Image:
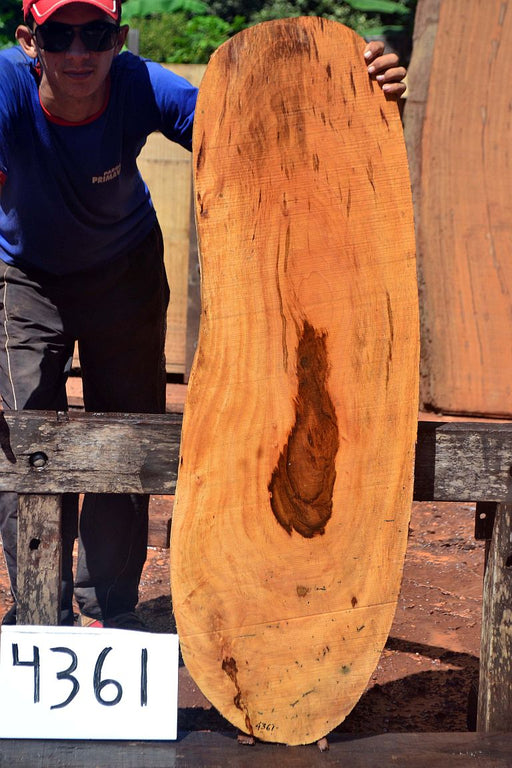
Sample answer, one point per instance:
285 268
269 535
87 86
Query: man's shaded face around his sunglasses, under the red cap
77 74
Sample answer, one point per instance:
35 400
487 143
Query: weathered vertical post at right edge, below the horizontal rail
495 685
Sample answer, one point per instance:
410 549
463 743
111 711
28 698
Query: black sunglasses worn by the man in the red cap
55 37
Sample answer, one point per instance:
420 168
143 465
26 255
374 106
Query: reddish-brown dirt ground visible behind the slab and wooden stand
423 679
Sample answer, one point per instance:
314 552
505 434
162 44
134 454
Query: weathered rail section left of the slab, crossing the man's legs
97 453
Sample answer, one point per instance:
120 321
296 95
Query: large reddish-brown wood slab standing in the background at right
463 207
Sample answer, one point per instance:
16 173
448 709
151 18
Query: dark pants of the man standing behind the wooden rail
117 314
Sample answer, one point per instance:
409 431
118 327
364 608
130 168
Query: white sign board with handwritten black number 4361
87 683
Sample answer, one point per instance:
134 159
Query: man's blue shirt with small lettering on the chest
72 196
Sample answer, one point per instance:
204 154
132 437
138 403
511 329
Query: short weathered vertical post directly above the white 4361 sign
39 559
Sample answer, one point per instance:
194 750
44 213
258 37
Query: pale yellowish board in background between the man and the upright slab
166 169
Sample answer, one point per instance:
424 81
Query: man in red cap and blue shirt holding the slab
81 259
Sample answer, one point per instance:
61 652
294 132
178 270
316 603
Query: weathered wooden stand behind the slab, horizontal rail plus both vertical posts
44 455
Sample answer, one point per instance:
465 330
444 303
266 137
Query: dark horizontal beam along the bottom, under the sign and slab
205 749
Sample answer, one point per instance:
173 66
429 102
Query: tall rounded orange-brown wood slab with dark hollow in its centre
295 482
